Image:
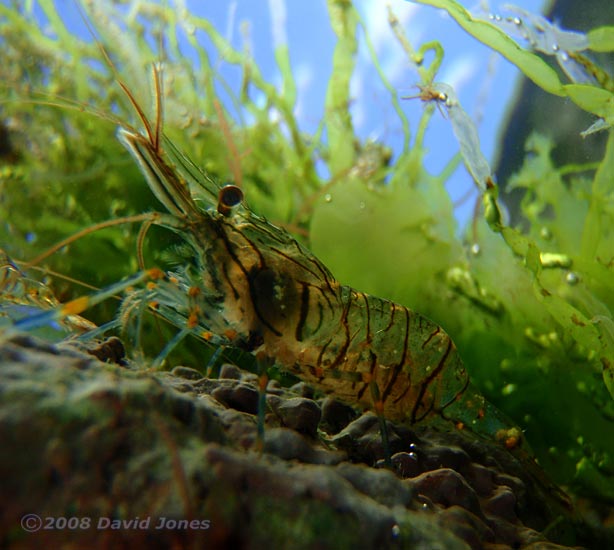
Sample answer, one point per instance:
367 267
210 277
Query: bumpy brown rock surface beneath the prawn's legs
171 458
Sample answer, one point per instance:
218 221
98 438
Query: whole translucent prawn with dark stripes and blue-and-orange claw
249 284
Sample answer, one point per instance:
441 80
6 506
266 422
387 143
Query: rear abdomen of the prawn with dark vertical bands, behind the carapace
412 361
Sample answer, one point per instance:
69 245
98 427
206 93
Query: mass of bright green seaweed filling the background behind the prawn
530 310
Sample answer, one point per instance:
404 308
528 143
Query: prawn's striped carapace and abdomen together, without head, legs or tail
287 308
